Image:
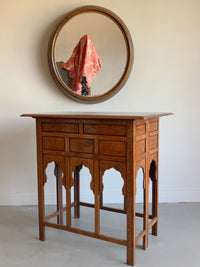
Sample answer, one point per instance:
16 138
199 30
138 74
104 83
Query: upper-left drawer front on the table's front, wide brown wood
60 127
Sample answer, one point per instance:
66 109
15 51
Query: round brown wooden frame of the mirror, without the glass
129 48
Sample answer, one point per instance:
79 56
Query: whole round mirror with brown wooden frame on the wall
91 54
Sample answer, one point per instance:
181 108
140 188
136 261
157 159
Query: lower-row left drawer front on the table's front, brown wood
53 143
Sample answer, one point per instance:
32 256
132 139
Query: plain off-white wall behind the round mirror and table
165 77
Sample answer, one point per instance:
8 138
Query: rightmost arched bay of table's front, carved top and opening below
112 196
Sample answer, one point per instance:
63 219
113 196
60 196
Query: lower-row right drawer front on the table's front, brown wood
112 148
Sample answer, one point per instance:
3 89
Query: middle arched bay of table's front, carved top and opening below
82 191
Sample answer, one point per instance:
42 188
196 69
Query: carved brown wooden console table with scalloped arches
99 141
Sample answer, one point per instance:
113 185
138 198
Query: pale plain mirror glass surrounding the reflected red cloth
109 44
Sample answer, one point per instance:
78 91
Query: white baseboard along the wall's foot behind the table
31 199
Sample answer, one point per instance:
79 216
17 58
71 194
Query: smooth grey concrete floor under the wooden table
178 243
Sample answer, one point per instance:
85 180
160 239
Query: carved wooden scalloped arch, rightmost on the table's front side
119 166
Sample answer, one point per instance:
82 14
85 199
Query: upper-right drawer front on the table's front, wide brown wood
117 130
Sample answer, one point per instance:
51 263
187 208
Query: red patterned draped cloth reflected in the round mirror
84 61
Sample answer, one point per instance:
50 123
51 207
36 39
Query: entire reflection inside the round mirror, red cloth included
107 46
